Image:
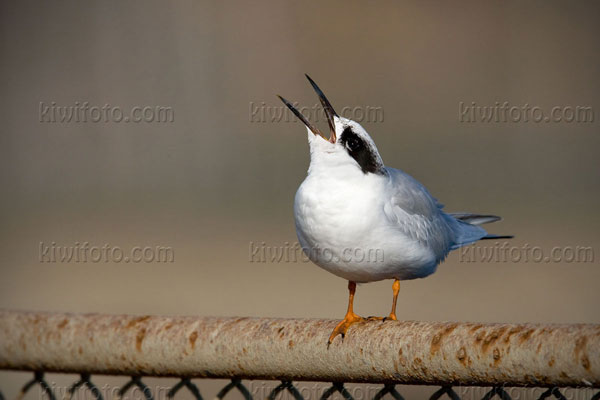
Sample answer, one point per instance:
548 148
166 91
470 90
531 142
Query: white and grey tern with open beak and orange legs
351 205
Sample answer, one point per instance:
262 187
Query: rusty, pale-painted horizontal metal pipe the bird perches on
439 353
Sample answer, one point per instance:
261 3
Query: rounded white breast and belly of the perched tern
342 225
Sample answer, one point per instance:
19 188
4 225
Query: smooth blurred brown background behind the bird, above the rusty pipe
219 177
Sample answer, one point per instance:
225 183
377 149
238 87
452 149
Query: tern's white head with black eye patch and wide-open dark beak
349 146
